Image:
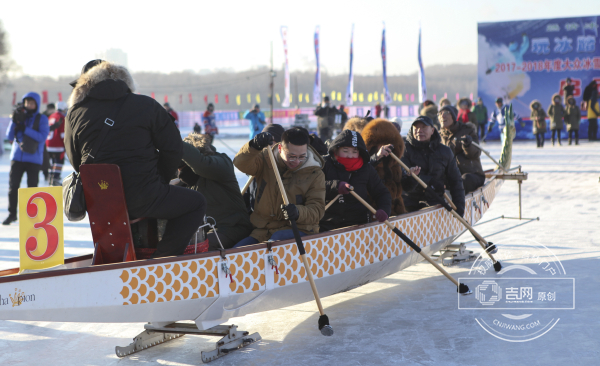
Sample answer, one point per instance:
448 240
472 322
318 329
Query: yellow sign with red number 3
41 241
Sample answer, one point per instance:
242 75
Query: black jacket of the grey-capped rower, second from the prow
437 162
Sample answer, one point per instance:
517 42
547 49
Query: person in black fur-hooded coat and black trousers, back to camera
143 141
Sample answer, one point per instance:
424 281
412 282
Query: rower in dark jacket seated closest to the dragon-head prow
459 137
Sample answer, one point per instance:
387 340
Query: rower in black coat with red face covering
347 165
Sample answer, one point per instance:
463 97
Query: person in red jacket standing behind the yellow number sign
55 143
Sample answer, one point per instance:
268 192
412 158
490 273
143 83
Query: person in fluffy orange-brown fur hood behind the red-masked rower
381 137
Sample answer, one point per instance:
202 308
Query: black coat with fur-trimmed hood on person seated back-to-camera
144 141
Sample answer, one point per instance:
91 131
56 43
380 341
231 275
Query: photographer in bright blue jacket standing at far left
28 131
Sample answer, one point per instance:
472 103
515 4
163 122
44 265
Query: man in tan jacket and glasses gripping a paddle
300 167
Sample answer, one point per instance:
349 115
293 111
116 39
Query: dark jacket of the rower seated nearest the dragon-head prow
468 158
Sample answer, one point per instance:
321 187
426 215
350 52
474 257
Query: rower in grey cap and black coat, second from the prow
424 149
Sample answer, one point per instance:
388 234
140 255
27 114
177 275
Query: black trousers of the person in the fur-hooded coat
184 209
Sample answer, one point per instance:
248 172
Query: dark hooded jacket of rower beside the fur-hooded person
212 174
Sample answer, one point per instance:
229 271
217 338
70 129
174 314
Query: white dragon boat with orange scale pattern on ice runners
210 288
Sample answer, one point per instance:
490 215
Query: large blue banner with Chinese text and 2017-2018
522 61
